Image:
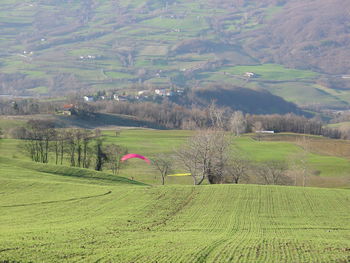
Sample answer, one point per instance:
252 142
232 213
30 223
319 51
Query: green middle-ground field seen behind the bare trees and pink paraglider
328 166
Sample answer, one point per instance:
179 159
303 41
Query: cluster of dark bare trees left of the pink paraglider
77 147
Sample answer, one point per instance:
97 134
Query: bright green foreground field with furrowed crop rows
56 216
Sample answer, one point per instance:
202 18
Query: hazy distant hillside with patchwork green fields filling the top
55 47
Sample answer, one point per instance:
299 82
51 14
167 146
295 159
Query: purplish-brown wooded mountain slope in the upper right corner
308 34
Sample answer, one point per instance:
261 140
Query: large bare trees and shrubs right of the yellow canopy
211 154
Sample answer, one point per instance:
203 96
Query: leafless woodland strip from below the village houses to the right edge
171 115
